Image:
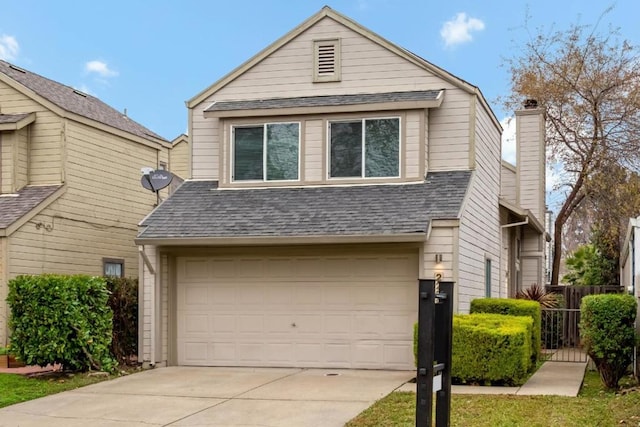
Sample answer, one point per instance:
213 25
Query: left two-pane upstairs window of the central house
268 152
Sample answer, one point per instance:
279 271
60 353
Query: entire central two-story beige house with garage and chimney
327 175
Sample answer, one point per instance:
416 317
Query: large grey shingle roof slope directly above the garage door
198 209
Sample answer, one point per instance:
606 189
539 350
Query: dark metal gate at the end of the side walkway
561 335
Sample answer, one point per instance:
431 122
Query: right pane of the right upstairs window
382 147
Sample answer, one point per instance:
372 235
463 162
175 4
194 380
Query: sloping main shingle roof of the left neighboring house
74 101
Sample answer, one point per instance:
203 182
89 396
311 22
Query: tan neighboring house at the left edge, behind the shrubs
70 193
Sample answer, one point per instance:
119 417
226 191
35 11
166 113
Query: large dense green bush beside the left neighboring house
61 319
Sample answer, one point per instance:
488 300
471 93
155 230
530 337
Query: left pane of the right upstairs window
346 149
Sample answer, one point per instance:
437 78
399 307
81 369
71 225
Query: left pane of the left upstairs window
247 160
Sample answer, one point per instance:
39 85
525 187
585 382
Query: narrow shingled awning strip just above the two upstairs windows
325 101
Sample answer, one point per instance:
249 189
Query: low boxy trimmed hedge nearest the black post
491 348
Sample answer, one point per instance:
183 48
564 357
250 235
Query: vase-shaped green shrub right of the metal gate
608 335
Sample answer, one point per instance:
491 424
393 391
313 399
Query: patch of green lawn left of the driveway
18 388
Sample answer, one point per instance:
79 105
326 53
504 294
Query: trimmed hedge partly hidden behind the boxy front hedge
515 307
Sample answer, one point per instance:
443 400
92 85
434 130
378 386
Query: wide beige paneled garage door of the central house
354 310
